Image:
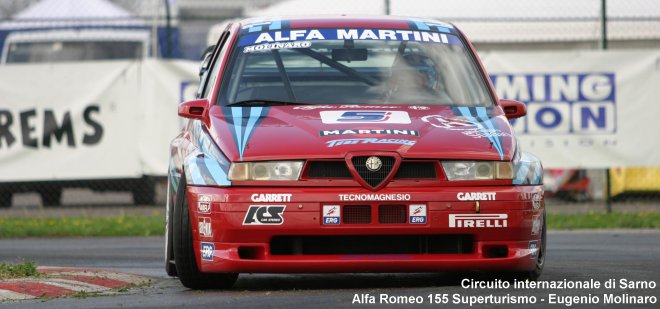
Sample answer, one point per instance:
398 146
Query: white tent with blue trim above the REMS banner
53 21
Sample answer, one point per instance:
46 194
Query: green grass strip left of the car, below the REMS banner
146 225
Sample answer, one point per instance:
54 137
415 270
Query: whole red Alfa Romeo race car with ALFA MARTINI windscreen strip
345 144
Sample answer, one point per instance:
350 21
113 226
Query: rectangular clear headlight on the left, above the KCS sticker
267 170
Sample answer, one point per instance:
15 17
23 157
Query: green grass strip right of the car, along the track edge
618 220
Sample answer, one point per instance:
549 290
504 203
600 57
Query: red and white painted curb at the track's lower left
60 281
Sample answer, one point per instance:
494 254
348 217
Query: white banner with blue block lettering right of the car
585 109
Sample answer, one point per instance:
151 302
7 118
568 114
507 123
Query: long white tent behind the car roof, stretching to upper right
489 21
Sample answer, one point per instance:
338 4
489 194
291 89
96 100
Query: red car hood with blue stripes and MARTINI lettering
333 131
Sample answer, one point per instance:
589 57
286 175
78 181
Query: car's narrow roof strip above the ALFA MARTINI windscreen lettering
351 21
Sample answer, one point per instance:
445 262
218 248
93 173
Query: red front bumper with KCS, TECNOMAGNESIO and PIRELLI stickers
278 230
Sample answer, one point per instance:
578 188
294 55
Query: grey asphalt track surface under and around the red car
633 255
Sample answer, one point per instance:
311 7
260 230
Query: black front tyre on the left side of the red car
184 256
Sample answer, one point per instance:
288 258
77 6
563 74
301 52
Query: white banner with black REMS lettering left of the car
90 120
